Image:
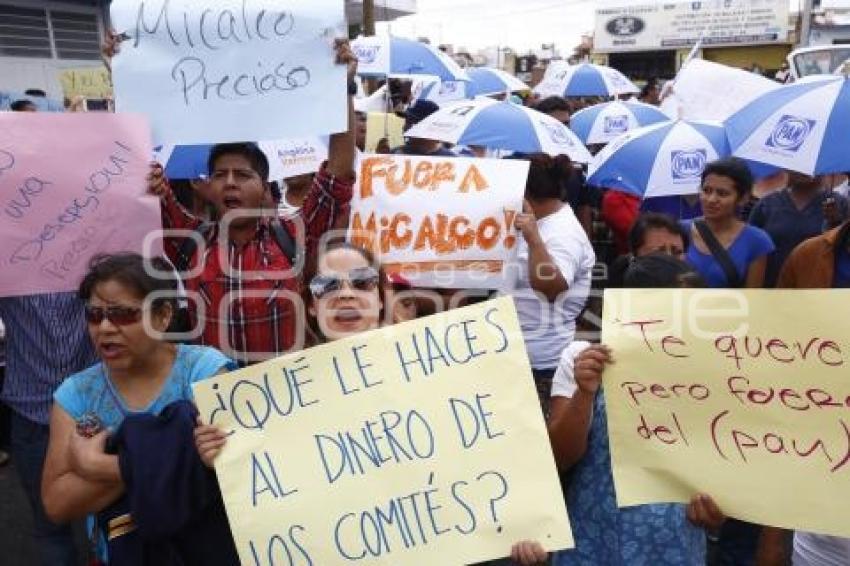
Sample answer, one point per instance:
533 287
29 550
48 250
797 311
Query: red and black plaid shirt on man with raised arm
249 309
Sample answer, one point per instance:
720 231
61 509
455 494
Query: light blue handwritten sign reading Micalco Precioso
233 70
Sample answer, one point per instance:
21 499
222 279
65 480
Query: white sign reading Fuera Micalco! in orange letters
441 221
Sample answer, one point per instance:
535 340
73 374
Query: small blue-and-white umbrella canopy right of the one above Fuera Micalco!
602 123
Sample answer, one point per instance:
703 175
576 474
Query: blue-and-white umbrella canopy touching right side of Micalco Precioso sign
387 55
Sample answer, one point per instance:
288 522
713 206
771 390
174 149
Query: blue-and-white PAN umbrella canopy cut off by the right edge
801 127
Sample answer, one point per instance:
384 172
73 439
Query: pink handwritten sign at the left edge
71 186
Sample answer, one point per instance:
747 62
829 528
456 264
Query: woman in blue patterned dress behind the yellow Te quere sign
665 534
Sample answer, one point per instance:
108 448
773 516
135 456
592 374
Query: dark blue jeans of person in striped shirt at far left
54 543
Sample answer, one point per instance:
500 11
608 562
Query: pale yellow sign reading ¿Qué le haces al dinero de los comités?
398 446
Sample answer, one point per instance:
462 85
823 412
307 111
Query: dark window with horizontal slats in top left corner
49 33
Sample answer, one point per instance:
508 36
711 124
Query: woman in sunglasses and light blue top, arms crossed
127 309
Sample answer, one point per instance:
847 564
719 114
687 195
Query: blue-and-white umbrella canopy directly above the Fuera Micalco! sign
500 125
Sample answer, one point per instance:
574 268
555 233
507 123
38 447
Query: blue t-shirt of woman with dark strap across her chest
751 244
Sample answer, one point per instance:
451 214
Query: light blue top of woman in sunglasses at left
91 390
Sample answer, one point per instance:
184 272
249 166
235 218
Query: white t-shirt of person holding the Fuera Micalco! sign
549 327
